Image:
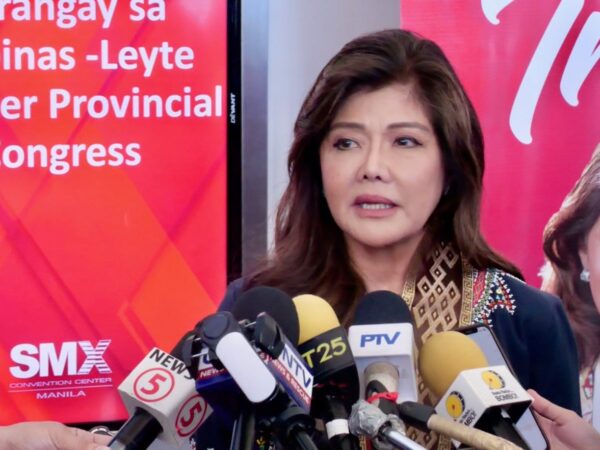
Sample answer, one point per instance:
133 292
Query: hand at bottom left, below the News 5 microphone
49 436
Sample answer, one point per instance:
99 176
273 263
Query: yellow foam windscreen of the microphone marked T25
315 316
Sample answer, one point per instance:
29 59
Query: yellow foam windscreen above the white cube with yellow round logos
444 355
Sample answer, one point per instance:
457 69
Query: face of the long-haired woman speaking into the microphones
382 167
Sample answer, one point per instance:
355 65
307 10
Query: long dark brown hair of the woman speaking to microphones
309 254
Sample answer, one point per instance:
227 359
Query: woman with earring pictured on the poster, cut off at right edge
572 246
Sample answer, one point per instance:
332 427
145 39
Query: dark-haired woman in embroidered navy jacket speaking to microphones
386 173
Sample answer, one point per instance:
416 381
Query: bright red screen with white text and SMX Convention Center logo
112 193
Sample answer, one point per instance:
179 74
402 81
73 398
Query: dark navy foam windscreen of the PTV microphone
381 307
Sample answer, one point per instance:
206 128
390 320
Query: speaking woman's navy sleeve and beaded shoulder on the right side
532 328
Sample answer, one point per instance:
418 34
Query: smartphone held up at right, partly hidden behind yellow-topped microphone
527 425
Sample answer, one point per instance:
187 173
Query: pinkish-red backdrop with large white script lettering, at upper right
533 163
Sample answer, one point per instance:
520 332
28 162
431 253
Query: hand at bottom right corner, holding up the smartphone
564 428
